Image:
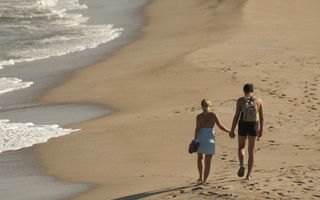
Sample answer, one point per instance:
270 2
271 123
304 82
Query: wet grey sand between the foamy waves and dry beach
22 106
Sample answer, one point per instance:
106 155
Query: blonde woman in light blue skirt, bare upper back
204 134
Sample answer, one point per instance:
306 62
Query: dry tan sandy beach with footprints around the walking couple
190 50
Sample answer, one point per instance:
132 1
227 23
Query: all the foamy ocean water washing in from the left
37 29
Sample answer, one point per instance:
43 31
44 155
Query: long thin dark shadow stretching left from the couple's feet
155 192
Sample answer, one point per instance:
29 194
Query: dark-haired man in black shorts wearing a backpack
250 110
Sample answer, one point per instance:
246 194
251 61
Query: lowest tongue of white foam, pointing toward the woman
20 135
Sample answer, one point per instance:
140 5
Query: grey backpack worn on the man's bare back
249 110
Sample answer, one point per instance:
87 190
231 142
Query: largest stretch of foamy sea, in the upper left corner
37 29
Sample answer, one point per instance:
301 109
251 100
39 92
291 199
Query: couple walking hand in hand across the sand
248 116
